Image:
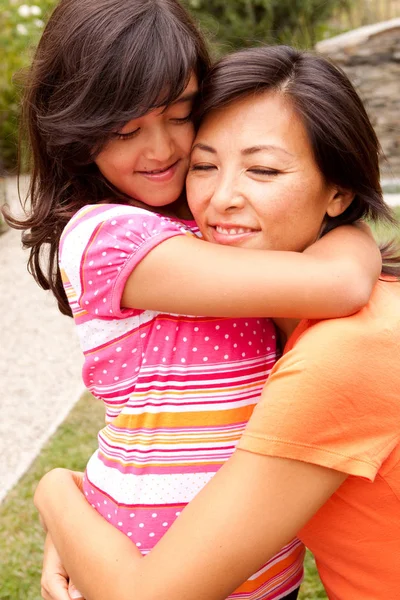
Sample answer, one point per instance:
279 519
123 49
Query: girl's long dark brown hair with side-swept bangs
99 64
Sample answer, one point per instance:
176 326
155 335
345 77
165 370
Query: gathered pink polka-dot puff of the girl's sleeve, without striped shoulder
119 240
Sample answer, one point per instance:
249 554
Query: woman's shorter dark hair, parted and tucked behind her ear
343 140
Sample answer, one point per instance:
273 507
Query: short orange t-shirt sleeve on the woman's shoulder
330 401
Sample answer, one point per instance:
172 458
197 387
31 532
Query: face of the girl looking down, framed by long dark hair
148 158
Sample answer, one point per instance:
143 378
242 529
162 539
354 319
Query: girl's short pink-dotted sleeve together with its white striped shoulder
103 245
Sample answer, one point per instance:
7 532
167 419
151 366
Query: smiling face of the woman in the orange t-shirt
253 181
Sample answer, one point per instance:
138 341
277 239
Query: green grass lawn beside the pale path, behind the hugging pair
21 538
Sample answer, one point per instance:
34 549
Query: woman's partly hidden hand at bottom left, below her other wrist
55 583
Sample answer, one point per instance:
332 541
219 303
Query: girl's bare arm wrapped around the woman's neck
334 277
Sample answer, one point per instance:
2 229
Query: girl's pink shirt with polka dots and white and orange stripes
178 389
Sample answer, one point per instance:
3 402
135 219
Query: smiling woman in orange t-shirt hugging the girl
284 153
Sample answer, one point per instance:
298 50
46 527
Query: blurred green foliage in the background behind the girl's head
230 23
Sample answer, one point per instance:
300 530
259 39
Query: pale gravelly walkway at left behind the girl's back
40 361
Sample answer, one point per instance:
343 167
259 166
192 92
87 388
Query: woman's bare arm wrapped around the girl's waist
250 509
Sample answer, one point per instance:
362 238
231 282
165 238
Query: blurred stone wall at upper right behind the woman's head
371 58
